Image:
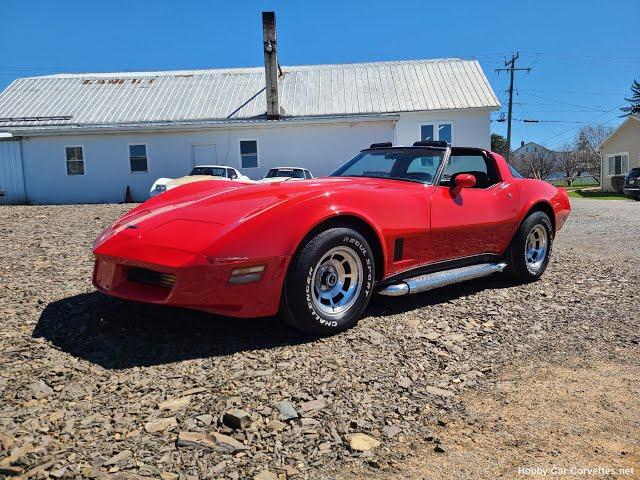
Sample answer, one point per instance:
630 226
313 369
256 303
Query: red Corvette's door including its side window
471 221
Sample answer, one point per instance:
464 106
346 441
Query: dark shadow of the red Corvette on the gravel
119 334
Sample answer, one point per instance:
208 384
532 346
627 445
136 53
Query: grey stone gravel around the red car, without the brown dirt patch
97 387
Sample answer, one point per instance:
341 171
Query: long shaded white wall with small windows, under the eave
320 148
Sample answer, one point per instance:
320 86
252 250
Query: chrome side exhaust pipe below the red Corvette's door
429 281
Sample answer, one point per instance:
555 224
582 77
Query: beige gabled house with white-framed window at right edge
620 152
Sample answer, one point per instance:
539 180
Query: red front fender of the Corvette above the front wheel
279 230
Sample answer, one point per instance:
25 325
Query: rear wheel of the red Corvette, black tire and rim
520 268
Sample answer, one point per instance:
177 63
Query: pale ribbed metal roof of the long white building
233 95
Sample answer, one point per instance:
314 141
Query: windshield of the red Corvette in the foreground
414 164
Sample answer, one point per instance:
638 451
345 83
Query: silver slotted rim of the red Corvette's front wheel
336 281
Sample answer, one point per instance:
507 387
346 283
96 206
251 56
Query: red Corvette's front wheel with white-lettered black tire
308 285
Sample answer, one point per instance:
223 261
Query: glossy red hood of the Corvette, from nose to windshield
194 215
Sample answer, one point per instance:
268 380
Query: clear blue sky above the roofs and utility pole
584 54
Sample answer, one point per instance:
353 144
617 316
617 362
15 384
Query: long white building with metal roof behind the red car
75 138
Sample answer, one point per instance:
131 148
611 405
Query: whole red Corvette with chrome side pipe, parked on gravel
393 220
